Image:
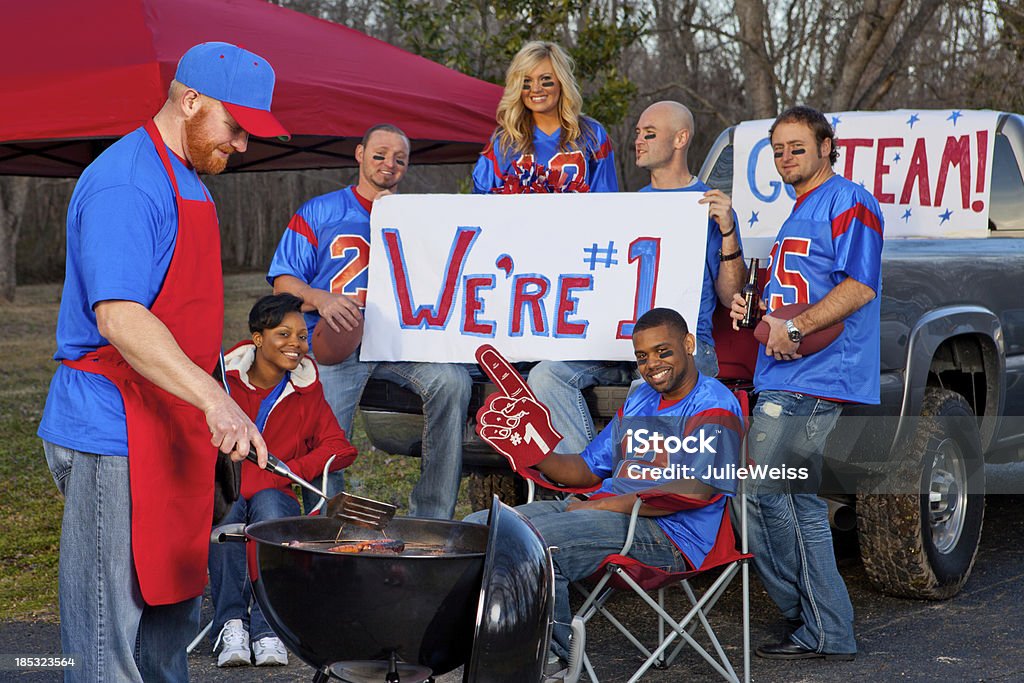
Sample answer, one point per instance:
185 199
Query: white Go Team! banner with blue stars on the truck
930 172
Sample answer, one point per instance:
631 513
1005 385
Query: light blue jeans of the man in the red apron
104 620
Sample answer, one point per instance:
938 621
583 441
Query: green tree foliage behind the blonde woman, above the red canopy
481 39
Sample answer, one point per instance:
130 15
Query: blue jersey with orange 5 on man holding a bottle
834 233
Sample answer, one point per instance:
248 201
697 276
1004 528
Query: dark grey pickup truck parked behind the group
952 349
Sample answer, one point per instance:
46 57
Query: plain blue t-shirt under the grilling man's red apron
122 227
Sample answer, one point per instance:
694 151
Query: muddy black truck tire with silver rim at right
921 546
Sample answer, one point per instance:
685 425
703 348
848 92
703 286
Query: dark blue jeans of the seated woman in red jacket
230 586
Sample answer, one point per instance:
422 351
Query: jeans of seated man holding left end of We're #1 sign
445 390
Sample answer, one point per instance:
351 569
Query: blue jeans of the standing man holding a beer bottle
789 533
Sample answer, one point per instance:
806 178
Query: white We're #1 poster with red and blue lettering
554 277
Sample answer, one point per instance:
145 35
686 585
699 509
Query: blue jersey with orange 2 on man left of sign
327 246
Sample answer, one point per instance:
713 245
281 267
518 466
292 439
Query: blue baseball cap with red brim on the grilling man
242 81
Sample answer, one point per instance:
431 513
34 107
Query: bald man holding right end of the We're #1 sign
664 135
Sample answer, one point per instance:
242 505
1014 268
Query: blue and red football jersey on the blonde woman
590 169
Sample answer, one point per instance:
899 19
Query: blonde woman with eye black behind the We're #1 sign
543 143
